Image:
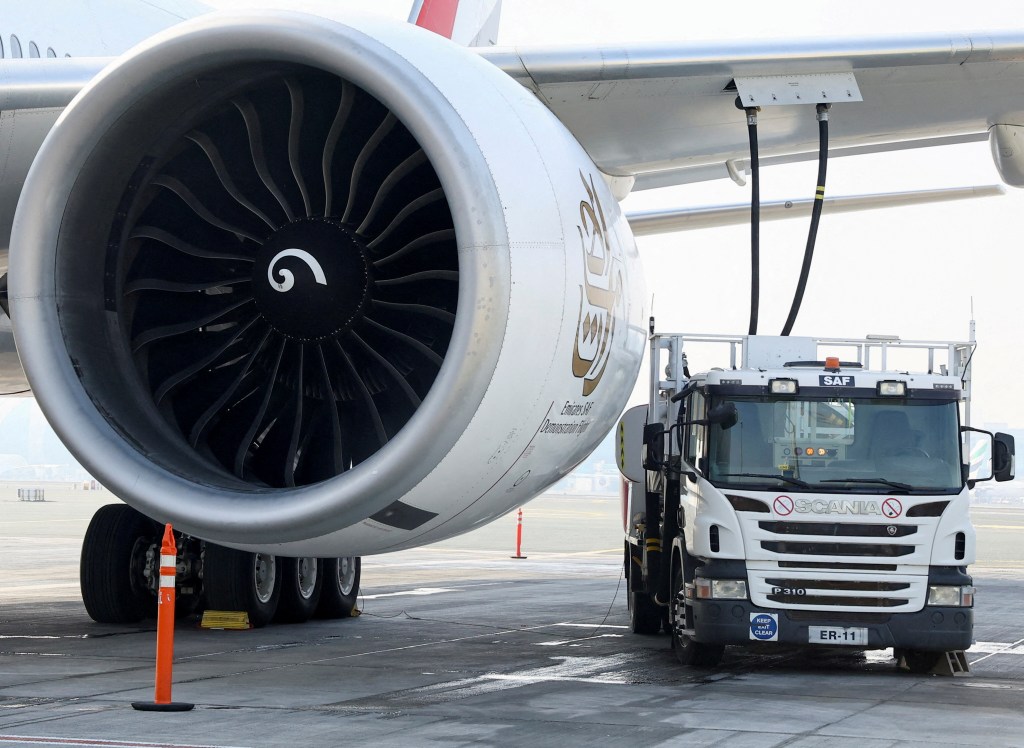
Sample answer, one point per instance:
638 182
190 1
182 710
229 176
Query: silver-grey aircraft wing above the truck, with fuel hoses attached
666 114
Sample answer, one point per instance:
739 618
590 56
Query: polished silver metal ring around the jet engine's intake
210 506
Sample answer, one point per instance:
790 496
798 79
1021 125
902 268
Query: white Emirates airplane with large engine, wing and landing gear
314 286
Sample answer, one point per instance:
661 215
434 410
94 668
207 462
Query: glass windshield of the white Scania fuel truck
839 445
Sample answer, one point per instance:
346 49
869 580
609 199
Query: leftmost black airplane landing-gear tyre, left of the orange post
112 570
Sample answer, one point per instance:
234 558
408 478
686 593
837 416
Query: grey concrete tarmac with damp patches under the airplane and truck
460 645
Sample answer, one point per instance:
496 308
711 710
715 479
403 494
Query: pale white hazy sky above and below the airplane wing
909 272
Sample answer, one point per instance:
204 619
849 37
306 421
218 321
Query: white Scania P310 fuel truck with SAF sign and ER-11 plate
800 497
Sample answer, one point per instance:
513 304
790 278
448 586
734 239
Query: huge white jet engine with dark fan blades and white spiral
323 288
